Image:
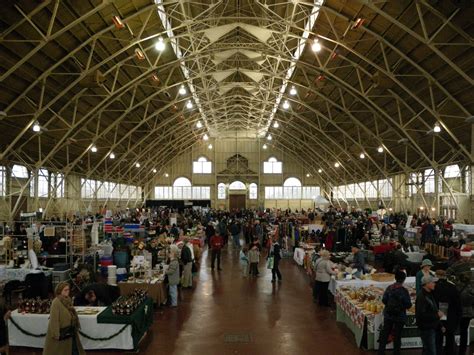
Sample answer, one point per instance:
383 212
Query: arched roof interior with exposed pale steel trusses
382 81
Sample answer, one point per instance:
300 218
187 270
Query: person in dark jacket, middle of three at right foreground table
428 315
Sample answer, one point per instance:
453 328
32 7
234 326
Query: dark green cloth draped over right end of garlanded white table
140 320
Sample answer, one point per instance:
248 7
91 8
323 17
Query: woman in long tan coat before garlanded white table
62 336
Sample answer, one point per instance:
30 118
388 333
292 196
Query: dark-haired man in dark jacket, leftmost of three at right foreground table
396 300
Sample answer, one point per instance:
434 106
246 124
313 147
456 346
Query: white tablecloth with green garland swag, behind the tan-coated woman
38 324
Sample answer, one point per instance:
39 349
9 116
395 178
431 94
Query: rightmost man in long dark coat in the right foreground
449 302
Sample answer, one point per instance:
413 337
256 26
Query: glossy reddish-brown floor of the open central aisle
229 314
